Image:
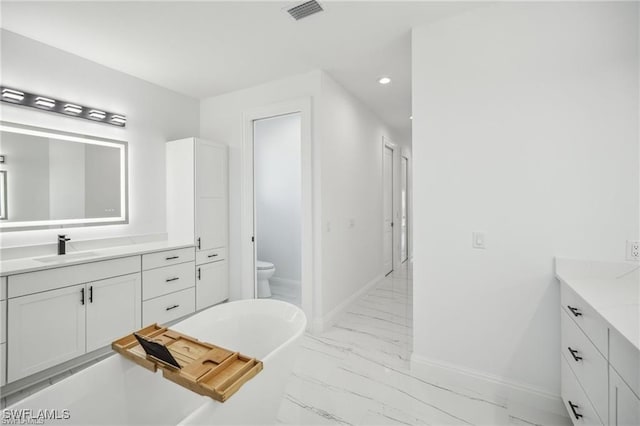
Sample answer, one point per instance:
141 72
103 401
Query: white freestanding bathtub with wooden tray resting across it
117 391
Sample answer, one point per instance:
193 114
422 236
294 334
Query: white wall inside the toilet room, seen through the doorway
278 185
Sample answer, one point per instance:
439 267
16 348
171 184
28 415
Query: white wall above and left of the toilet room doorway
221 119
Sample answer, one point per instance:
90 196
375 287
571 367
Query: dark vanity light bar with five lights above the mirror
18 97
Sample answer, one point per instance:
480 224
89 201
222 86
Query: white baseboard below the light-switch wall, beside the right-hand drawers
504 391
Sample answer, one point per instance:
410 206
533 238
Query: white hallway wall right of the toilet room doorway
352 213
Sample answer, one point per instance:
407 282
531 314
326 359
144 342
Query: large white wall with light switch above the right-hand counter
526 127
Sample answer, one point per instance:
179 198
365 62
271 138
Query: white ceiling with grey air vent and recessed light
203 49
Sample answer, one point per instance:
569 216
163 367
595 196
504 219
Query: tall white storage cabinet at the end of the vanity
198 210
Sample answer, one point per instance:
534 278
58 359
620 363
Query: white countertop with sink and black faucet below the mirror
30 264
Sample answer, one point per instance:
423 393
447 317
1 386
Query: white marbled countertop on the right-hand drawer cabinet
611 288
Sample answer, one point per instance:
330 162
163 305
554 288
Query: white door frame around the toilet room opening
247 225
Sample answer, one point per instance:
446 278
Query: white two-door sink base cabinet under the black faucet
58 314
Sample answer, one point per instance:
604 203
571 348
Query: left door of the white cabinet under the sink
45 329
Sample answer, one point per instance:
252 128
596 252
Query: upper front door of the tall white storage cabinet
211 195
